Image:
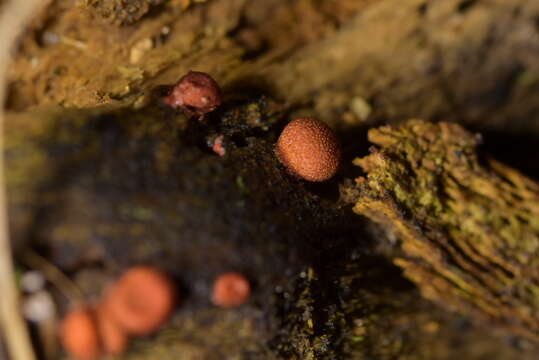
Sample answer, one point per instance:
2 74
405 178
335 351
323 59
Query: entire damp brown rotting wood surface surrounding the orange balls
103 176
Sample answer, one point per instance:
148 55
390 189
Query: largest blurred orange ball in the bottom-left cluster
141 301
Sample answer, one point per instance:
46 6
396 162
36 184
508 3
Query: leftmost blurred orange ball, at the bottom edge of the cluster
79 334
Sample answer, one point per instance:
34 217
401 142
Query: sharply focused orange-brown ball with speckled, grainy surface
309 149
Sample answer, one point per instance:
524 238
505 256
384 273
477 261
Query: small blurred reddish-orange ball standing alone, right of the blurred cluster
230 290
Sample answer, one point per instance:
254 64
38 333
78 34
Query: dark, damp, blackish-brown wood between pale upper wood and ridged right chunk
97 191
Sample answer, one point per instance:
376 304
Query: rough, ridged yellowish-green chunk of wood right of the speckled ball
469 228
